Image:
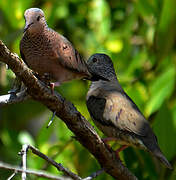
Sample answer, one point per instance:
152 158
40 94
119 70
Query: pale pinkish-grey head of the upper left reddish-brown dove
35 20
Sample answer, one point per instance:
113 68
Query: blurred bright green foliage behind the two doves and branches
140 38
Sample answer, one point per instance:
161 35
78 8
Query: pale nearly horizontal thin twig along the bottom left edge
30 171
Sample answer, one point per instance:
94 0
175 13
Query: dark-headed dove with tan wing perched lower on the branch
114 112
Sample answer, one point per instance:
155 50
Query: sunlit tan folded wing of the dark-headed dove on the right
121 111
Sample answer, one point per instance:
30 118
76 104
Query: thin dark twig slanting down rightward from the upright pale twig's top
54 163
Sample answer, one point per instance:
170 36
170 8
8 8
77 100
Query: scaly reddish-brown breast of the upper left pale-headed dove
39 54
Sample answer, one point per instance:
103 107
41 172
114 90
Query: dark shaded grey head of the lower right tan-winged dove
101 66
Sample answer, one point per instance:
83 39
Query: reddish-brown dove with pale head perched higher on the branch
48 53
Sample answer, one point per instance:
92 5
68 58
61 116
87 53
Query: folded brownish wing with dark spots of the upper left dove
69 57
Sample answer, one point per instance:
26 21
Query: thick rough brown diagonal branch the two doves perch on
65 110
